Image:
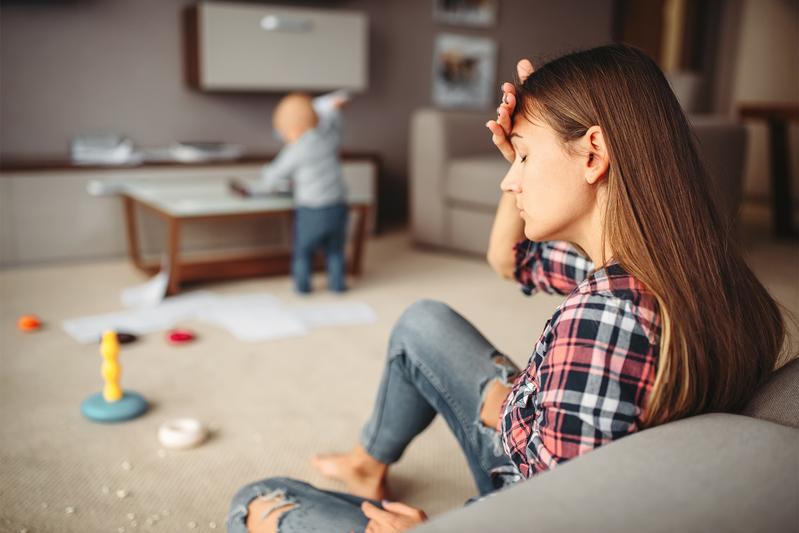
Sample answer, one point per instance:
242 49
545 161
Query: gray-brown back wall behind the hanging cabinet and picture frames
116 65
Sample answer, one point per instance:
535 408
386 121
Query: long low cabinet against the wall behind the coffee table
46 215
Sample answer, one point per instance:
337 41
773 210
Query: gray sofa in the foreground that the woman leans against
711 473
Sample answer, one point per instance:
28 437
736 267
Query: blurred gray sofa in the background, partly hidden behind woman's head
455 173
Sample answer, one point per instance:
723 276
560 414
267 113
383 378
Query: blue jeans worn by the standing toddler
320 228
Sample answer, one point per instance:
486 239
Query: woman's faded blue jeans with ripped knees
437 363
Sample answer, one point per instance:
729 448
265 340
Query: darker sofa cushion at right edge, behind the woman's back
778 399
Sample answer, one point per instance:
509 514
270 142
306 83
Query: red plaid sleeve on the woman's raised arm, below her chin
555 267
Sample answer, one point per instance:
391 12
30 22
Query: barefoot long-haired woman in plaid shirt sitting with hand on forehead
606 201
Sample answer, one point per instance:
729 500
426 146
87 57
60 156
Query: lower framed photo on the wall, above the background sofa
464 70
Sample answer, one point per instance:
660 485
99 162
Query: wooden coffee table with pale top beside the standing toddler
182 201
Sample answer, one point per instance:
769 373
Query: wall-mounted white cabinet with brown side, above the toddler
253 47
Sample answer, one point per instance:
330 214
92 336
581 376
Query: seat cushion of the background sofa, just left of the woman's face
475 180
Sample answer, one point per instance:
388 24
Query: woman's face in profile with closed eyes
548 183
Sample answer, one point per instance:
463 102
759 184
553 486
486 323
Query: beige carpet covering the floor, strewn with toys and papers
273 404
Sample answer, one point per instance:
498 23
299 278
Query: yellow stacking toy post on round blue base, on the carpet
113 404
